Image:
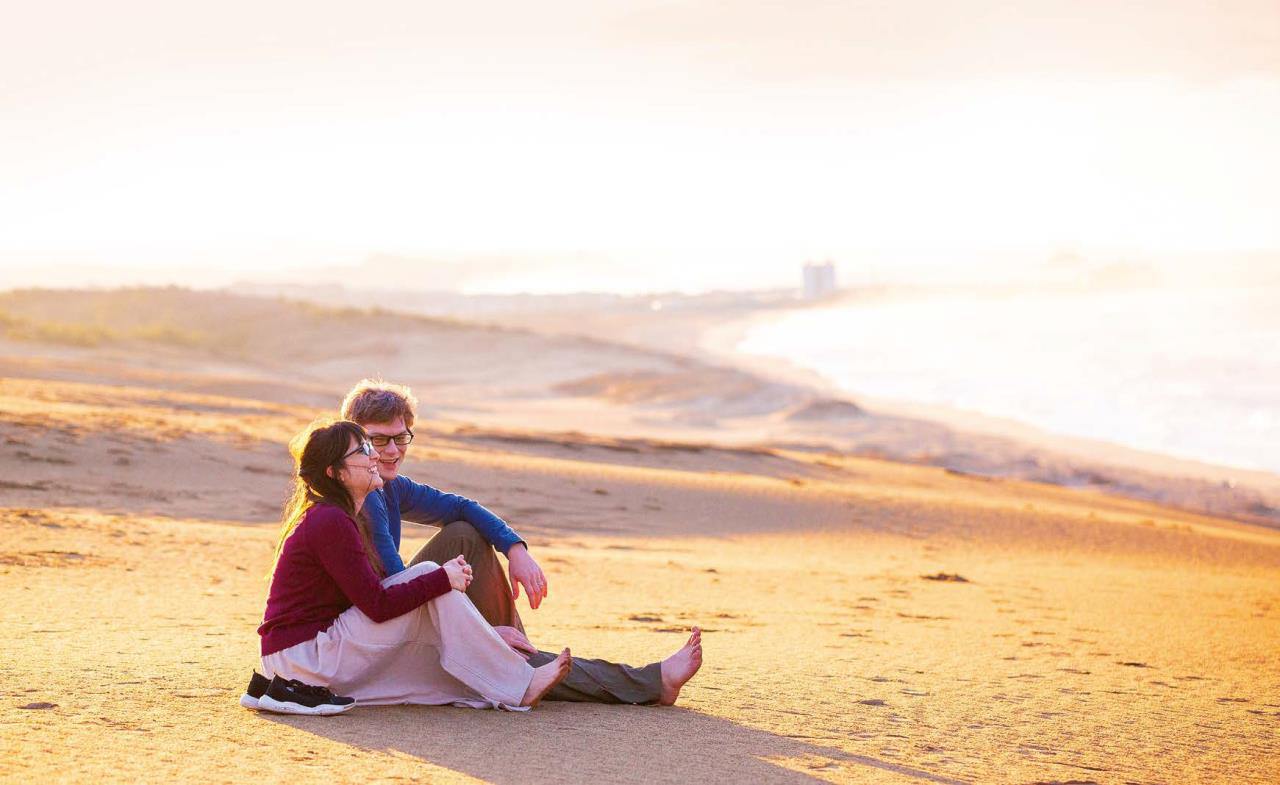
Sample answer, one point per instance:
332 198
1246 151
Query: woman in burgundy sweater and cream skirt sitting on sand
331 620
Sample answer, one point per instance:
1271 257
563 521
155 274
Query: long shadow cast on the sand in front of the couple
561 742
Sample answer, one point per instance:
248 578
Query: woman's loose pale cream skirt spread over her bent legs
438 654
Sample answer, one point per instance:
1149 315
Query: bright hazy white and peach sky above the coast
666 144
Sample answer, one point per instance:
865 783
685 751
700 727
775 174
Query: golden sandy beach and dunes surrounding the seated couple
867 620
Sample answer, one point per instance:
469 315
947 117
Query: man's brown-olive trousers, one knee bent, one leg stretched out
589 681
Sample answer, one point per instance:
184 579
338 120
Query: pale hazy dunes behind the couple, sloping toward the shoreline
292 353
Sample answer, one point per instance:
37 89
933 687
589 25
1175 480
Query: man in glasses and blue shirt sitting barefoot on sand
387 412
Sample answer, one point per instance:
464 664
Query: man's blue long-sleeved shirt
404 499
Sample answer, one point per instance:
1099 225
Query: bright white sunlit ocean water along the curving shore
1188 373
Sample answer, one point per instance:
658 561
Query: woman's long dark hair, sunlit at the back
316 451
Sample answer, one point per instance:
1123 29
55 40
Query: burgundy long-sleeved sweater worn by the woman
323 572
